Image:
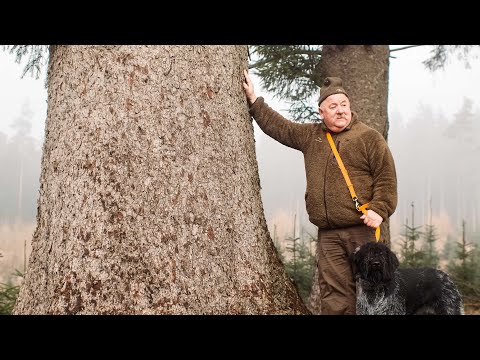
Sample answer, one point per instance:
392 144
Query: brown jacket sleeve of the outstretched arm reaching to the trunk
272 123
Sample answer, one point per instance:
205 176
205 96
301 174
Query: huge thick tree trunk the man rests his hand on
150 198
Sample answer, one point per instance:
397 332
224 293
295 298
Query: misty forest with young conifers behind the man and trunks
436 221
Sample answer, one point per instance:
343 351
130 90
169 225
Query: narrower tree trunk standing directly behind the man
364 71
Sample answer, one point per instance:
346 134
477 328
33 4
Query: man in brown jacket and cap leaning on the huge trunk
371 169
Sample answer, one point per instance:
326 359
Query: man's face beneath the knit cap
335 112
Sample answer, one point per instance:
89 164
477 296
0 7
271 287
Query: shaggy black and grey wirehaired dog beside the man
385 289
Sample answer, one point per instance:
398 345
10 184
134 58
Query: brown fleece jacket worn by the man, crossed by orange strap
364 153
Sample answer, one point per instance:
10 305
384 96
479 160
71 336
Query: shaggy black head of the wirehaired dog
374 262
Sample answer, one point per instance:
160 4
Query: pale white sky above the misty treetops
410 85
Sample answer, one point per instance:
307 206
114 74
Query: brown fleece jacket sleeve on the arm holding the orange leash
384 201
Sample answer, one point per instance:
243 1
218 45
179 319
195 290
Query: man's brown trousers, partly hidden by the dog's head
337 286
